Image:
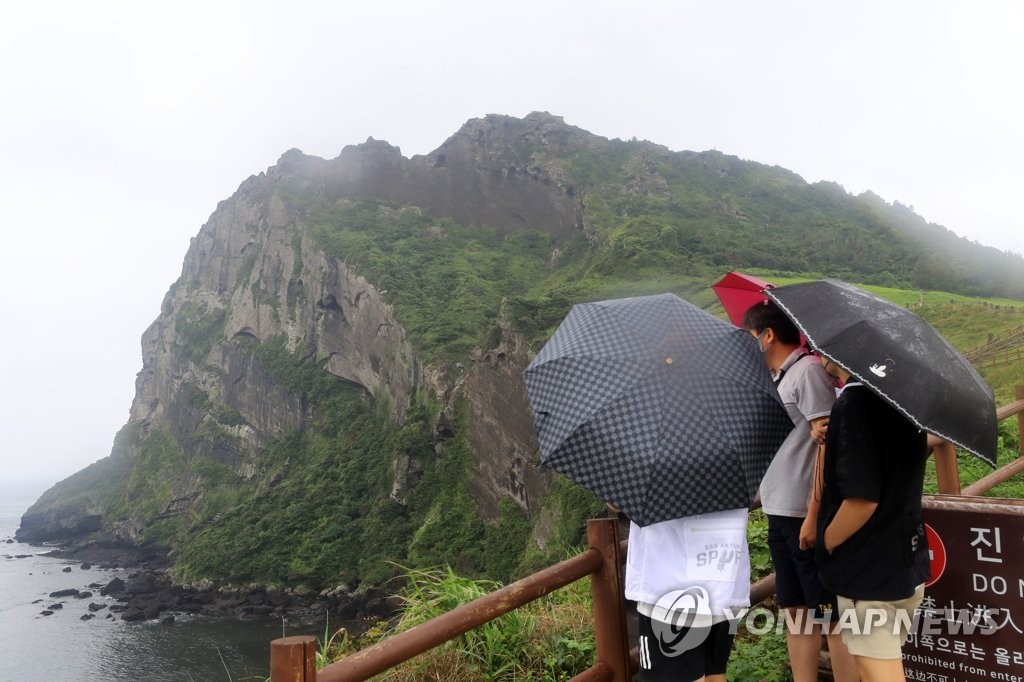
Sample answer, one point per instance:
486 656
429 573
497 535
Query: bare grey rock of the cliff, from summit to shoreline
255 276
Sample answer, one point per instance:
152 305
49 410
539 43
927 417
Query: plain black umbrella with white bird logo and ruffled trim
901 357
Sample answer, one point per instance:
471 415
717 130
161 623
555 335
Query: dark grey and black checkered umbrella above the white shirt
657 407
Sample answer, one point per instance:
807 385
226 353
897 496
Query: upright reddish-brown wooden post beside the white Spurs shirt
610 607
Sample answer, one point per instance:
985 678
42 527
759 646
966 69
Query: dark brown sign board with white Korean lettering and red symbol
970 626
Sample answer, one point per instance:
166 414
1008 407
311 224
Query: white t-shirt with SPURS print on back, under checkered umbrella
667 562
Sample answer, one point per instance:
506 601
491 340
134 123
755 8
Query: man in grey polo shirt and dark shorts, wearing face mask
790 496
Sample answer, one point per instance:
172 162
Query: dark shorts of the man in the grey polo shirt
797 582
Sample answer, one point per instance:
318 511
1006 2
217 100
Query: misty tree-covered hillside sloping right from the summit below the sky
649 205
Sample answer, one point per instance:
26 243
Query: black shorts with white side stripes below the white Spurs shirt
660 662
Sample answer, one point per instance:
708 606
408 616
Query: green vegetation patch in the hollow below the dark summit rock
447 281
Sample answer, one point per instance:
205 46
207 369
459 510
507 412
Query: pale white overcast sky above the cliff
122 125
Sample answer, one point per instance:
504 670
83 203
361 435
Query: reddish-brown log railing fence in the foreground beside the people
294 659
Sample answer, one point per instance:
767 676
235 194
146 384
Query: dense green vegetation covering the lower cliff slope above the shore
322 510
